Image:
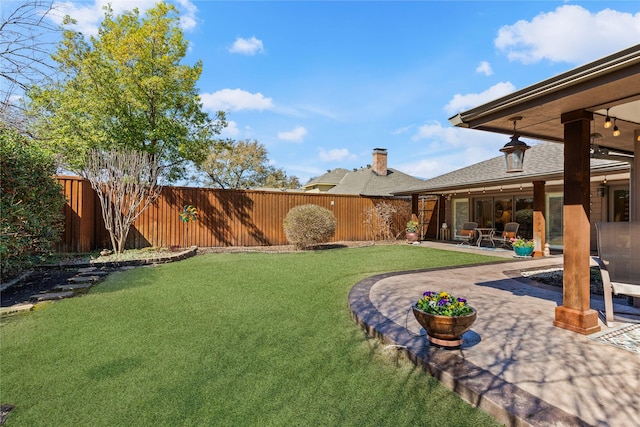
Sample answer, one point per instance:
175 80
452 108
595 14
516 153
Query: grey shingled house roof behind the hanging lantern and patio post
542 161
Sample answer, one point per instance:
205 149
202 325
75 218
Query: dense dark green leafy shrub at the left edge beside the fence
31 203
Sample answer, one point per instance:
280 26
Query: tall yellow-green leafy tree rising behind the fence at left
127 89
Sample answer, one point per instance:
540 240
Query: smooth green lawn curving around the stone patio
224 339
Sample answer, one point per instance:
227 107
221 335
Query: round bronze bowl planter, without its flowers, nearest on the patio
444 331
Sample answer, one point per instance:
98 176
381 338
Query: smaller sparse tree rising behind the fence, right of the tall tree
244 165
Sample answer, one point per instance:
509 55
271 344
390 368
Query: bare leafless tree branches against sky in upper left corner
27 39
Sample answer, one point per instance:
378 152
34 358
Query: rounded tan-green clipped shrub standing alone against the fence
308 225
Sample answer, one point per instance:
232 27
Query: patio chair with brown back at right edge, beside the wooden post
619 261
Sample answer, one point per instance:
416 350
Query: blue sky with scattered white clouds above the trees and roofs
321 84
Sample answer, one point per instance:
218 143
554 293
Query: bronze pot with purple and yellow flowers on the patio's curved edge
444 317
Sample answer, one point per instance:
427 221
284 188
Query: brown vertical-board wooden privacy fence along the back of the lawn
225 217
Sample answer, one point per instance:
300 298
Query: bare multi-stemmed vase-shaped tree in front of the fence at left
126 183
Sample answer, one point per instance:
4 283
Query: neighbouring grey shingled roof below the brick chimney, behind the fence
366 182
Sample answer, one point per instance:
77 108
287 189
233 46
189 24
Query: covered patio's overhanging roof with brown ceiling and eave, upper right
612 82
